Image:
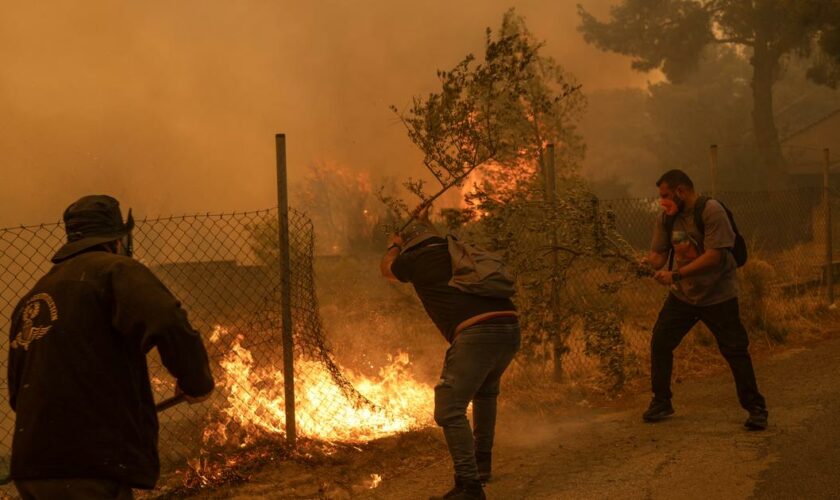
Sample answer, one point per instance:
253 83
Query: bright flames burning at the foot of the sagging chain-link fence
255 400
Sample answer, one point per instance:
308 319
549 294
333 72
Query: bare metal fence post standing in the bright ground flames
286 289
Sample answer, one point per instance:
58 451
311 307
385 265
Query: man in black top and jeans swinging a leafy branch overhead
483 333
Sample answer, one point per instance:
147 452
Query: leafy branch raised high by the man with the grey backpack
499 111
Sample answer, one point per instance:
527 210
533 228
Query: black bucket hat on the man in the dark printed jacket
91 221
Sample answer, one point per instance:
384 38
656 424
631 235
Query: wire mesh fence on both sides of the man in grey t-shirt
608 313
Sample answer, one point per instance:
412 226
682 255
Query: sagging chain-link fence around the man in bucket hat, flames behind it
225 270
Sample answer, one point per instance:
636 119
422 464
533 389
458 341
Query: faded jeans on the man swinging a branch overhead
472 372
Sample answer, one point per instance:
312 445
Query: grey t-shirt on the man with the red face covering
715 285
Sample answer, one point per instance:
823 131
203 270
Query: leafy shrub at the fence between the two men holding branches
555 247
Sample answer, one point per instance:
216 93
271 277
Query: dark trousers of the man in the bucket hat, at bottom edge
73 489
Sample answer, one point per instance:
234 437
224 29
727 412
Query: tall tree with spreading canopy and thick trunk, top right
671 35
